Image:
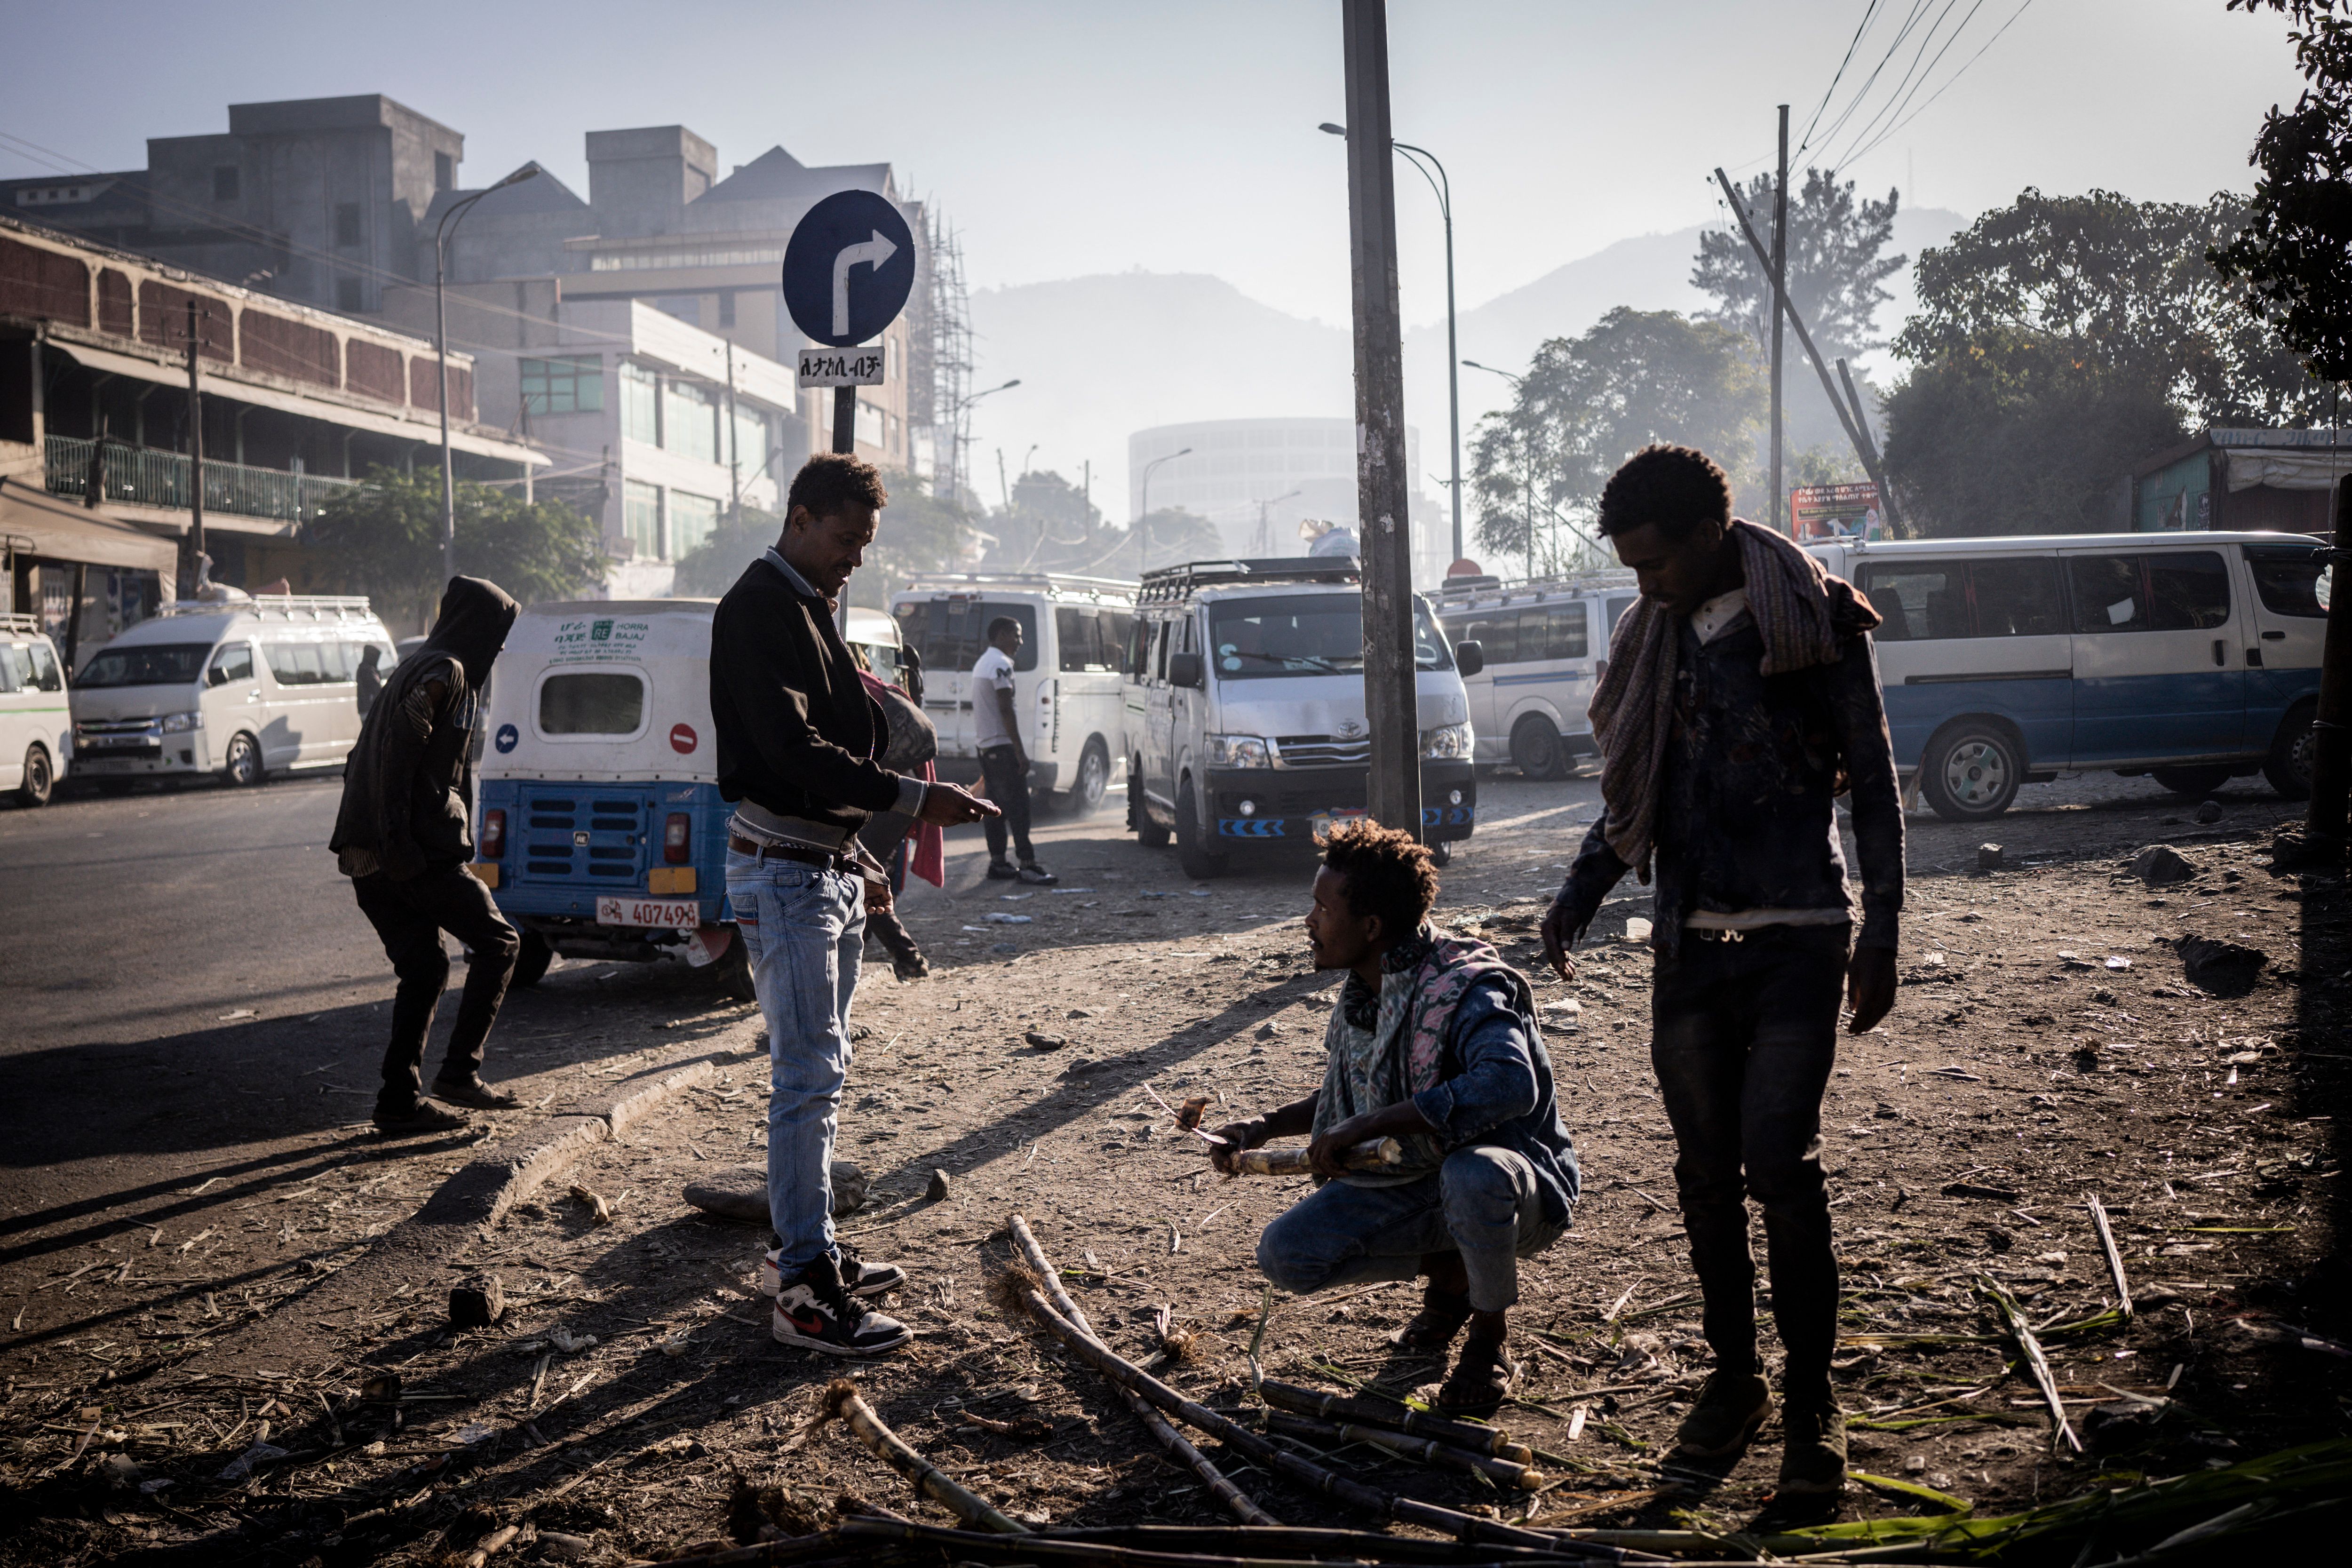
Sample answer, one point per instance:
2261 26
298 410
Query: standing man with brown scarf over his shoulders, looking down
1742 702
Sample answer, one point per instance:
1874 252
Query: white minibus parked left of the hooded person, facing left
236 688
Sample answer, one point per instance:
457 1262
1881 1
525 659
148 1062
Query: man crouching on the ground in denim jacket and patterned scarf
1434 1043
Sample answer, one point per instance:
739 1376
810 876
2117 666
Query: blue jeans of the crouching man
1483 1205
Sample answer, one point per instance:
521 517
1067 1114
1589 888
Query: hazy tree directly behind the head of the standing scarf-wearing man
1586 406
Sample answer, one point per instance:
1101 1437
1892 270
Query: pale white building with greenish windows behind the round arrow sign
653 427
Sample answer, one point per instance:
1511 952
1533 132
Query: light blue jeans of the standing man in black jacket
803 932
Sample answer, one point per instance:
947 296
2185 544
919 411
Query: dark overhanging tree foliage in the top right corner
2294 250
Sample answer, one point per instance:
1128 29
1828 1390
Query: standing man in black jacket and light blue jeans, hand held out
799 753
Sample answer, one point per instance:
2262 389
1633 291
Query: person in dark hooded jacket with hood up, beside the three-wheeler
406 838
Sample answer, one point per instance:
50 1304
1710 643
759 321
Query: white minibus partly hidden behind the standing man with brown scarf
1544 643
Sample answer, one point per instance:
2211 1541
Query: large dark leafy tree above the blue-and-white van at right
2064 340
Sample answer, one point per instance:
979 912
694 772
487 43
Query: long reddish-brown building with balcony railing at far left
298 406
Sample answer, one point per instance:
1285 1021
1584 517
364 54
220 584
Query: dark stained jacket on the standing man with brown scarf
1746 817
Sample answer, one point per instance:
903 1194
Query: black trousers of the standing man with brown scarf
1744 1040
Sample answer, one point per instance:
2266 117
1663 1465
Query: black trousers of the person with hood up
410 918
